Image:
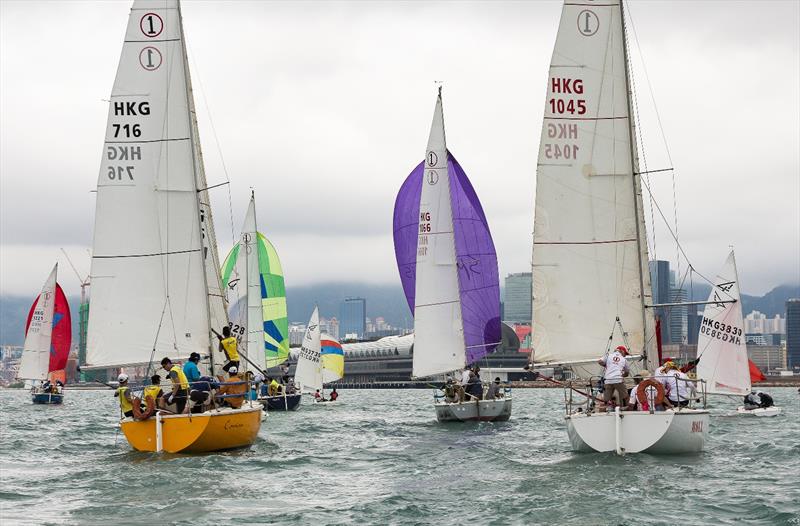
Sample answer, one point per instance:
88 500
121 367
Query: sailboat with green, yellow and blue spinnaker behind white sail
252 277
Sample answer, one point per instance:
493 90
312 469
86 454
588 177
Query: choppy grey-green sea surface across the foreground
380 457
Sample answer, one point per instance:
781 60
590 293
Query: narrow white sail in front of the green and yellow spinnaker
256 351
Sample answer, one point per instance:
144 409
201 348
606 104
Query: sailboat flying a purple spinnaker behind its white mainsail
448 267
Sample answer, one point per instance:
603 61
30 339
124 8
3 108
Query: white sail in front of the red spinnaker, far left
35 361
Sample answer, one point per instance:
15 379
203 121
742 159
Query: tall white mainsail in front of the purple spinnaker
438 328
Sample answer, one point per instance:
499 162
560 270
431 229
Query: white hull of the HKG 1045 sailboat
683 431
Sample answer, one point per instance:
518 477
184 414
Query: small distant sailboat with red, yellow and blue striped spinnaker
320 361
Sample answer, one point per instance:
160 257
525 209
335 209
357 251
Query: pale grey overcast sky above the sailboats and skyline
324 108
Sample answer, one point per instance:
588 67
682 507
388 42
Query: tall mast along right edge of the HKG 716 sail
205 223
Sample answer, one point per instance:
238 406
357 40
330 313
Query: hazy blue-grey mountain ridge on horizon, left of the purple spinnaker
382 300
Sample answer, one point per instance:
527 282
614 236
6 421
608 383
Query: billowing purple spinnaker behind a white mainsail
478 278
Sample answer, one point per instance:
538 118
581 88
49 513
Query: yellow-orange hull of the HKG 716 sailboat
214 430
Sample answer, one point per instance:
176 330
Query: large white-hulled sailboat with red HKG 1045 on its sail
590 260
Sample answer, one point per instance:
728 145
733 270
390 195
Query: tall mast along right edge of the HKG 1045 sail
637 195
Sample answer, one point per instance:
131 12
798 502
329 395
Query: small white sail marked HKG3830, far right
721 343
